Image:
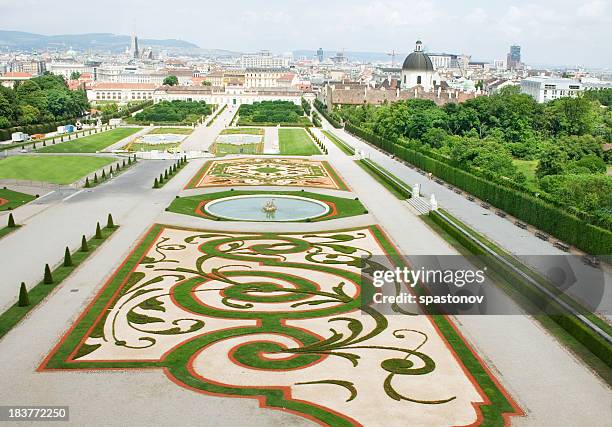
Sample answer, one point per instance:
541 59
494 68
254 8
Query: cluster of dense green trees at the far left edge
39 100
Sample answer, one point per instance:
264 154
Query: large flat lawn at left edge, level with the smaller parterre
53 169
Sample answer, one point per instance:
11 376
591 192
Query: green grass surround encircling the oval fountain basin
344 207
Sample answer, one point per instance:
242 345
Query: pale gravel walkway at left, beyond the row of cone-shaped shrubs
46 232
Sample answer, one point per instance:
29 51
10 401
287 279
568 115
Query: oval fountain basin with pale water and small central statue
250 208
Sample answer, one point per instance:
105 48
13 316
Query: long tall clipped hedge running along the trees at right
545 216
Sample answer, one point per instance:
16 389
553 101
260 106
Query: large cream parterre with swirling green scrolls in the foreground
277 317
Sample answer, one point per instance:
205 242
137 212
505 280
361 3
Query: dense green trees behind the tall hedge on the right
488 133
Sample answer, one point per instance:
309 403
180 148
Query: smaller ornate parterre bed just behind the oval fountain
268 171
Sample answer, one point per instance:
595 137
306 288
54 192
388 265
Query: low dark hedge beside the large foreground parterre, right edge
570 323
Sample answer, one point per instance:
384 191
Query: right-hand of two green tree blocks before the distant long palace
272 113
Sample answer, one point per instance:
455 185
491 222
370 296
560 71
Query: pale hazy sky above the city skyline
564 32
